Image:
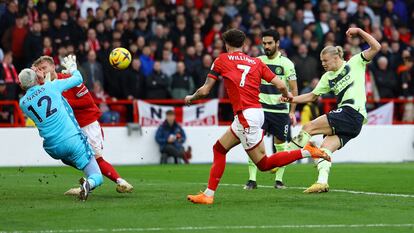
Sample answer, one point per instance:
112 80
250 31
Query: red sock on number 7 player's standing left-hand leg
219 164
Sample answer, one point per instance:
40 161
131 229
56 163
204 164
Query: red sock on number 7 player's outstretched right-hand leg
279 159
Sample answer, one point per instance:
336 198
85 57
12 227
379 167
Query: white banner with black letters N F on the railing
204 114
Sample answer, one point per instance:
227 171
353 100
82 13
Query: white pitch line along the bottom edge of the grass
190 228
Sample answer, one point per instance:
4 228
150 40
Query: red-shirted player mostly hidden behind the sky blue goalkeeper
87 114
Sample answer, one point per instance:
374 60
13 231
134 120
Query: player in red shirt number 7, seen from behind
242 75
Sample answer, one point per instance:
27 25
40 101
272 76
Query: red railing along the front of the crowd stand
18 119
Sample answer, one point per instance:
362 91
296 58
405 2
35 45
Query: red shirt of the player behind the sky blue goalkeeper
82 103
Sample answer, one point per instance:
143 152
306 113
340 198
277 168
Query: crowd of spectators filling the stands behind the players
173 43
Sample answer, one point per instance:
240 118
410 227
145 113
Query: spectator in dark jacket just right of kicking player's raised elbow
385 79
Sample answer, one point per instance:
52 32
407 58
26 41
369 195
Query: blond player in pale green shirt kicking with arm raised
346 79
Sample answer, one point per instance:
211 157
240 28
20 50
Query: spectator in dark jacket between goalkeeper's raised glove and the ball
92 70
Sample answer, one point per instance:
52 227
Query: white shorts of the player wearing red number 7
247 127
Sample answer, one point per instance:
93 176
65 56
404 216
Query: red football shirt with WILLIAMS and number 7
242 76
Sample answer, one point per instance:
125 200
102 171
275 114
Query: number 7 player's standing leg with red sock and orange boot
227 141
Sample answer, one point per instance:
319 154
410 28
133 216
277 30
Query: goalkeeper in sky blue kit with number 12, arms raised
54 118
